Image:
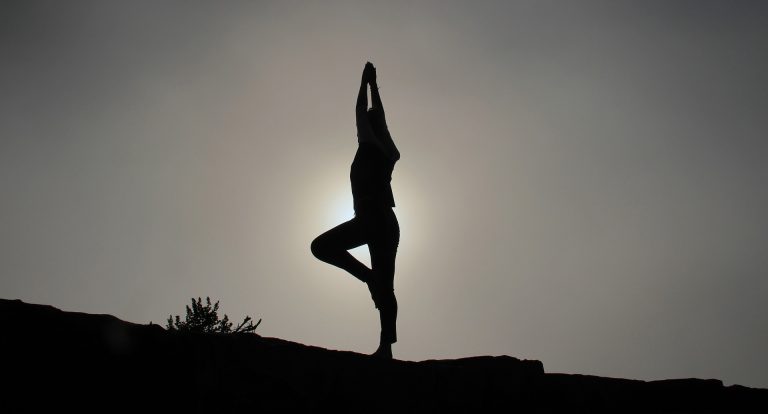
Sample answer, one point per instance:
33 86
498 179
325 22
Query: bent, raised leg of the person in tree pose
333 245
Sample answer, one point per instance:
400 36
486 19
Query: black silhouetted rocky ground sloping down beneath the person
55 360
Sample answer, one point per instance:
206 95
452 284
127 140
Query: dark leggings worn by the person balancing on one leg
378 228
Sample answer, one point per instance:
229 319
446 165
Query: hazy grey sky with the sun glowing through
582 183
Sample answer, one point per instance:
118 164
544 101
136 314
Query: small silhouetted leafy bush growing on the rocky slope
205 319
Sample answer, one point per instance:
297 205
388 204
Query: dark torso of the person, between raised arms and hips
370 175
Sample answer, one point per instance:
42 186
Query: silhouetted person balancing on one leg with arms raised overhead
374 223
